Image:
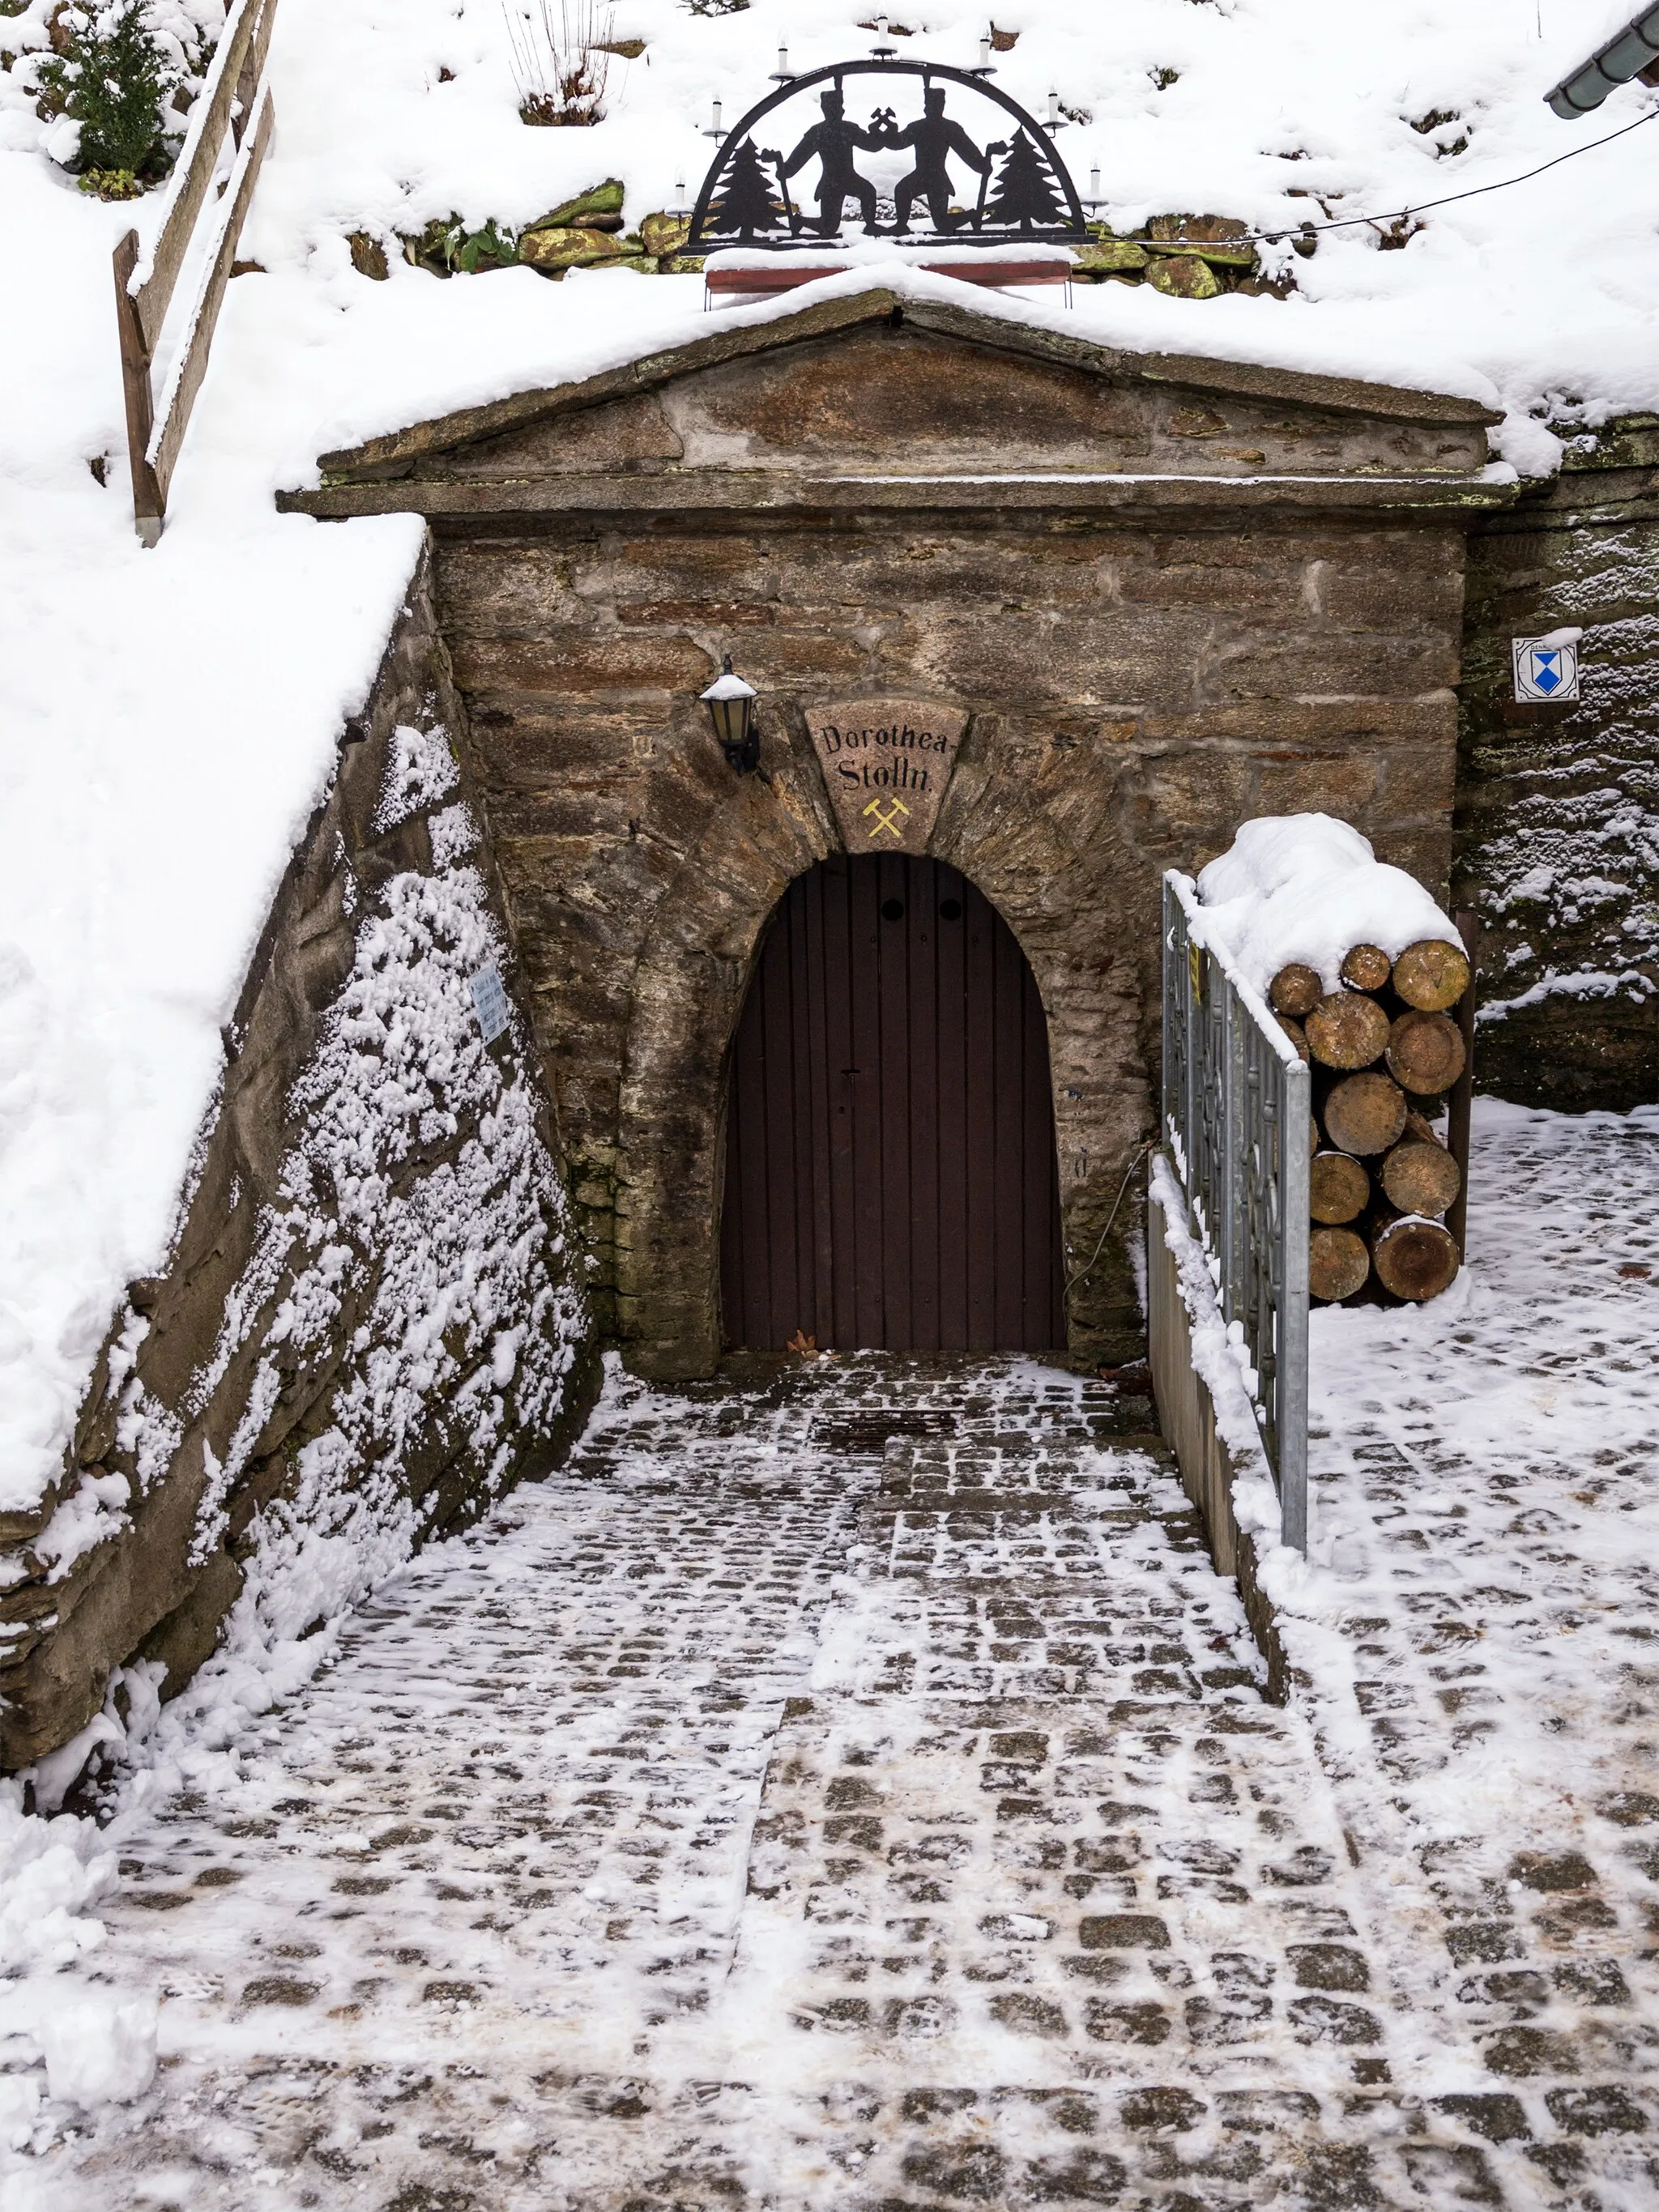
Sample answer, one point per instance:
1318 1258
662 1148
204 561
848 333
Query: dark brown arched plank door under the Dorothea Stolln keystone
890 1140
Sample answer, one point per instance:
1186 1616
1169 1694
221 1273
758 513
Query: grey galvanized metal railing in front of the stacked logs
1235 1123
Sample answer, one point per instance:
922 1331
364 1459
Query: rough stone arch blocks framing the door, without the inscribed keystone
1027 844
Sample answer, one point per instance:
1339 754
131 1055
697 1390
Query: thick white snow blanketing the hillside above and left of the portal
167 720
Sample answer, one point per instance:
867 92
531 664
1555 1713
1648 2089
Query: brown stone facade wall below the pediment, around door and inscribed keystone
1134 696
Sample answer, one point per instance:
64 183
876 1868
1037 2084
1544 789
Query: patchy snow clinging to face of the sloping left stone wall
466 1333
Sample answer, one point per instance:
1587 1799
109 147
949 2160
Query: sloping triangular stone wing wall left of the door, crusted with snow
373 1315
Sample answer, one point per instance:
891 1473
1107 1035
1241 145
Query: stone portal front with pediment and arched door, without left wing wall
1030 623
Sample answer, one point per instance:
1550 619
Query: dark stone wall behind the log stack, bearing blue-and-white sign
1558 806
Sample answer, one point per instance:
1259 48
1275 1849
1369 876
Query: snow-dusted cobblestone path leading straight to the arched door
848 1791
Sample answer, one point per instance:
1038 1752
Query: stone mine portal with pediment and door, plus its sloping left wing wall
1070 614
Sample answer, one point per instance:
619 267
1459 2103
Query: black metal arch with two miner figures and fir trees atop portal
1023 187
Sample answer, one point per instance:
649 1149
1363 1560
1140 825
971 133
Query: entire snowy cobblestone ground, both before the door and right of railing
1041 1899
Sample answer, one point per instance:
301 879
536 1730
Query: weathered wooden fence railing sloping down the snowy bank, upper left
233 101
